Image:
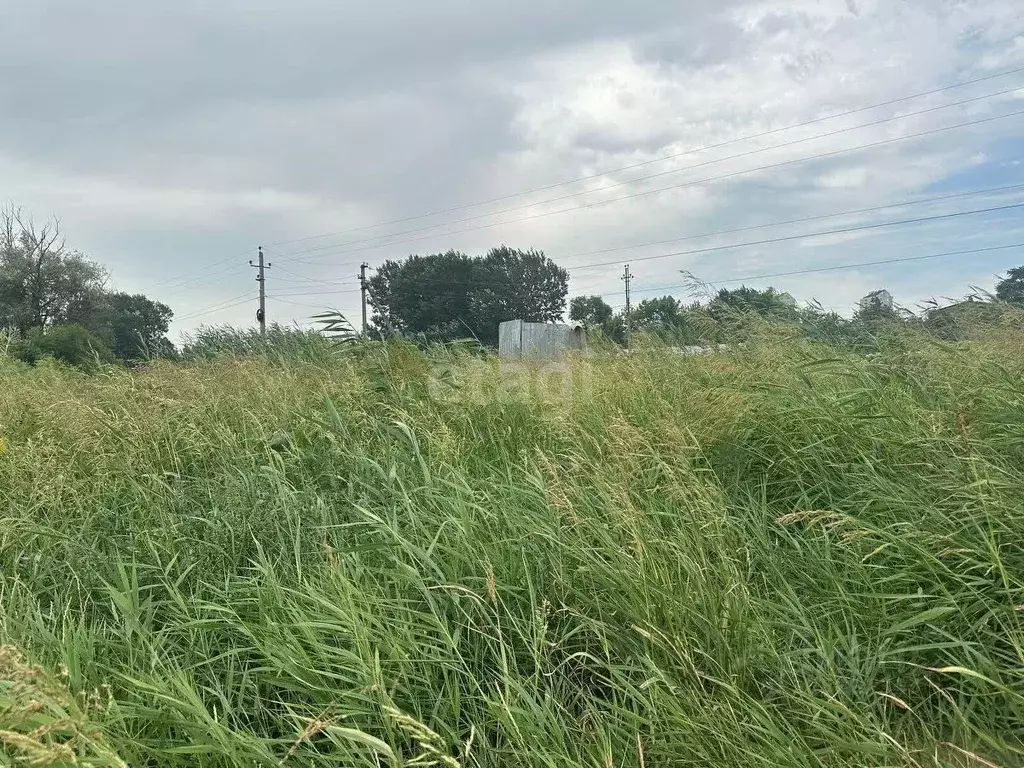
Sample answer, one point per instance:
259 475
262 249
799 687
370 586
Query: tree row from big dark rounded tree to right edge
447 296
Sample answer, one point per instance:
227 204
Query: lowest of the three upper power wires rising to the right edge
836 153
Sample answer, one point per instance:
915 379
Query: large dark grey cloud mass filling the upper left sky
390 103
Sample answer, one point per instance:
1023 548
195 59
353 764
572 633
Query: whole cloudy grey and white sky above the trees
173 139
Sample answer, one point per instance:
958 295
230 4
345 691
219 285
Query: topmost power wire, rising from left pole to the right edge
662 159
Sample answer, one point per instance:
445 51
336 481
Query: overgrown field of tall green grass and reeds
784 556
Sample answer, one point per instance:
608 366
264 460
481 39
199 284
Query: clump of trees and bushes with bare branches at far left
57 303
